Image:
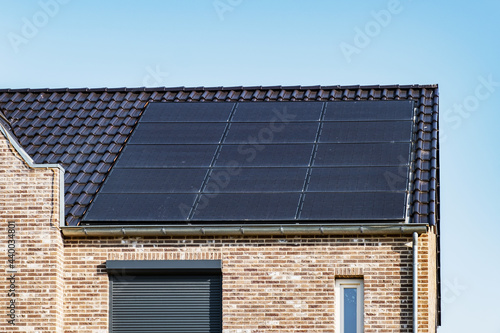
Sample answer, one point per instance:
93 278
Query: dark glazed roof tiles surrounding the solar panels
85 130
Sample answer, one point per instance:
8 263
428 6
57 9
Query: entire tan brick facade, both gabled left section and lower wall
270 284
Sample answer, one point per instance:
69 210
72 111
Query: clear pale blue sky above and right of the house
71 43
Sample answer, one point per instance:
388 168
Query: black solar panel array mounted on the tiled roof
262 162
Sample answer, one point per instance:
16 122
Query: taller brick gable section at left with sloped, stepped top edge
29 205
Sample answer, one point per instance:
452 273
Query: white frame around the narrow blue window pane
340 285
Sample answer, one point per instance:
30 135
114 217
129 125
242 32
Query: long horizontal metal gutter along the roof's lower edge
244 230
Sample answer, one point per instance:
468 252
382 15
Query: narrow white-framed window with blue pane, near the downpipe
349 305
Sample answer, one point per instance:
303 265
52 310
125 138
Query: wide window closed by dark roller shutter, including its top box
165 296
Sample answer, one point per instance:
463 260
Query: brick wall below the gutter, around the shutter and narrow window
270 284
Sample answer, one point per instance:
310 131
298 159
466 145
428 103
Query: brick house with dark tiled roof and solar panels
226 209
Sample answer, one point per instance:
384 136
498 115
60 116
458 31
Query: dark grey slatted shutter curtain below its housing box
165 303
